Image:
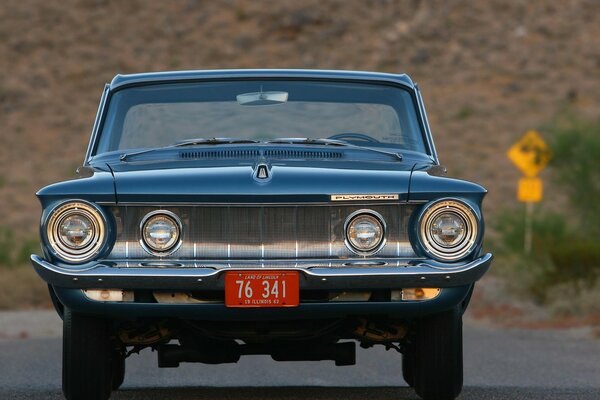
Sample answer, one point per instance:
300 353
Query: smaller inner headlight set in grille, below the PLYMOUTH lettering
365 232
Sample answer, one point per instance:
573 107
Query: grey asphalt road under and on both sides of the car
499 364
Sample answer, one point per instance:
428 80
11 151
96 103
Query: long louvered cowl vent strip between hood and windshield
287 154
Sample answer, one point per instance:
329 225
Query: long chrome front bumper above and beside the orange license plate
423 273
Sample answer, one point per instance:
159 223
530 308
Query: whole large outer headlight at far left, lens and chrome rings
75 231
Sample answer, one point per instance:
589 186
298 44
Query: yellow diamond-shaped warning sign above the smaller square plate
530 154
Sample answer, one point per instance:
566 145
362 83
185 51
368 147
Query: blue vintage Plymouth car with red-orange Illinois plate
291 213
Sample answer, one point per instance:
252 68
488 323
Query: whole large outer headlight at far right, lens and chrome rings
449 230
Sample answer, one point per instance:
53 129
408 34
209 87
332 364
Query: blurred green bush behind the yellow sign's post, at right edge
564 250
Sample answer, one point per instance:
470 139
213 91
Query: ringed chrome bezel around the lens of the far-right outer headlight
459 209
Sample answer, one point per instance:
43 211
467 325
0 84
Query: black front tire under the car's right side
438 356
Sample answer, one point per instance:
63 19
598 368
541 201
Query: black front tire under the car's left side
87 351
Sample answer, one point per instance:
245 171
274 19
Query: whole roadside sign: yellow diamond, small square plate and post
531 155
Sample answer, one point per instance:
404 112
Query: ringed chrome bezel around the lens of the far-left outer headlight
70 253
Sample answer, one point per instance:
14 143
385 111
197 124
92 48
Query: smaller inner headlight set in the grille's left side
161 232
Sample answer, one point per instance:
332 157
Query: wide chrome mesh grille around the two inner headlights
262 232
